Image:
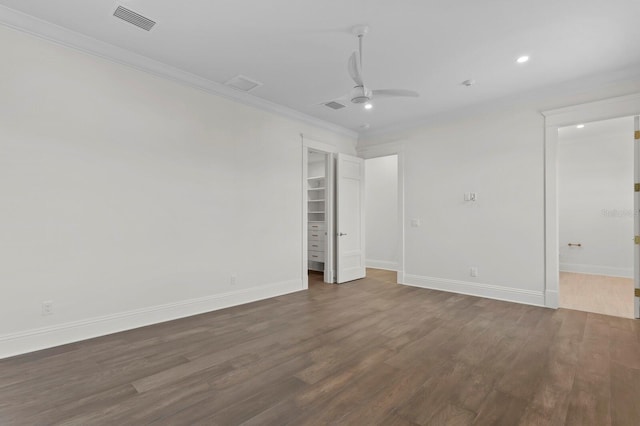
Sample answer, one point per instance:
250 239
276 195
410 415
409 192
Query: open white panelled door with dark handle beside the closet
350 257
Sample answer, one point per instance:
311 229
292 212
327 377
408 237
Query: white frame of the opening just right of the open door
385 150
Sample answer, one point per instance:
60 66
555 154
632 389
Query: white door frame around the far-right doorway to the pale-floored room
623 106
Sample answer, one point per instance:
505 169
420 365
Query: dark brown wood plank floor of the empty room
363 353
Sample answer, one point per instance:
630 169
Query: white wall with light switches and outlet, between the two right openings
497 151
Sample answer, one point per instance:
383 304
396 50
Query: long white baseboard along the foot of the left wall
46 337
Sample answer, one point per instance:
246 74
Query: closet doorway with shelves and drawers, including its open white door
332 214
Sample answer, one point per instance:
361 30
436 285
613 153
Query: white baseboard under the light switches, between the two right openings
528 297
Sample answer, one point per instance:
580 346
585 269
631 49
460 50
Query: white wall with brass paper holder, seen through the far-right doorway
595 198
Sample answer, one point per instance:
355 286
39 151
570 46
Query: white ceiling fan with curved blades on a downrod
361 94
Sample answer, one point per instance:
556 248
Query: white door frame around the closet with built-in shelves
329 150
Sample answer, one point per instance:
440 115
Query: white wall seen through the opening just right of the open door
381 211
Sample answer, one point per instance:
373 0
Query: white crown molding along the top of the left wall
59 35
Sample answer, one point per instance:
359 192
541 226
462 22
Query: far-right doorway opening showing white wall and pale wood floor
596 217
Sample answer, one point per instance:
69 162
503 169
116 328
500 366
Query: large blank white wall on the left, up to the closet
128 199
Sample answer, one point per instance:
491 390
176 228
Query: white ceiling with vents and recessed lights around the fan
298 49
